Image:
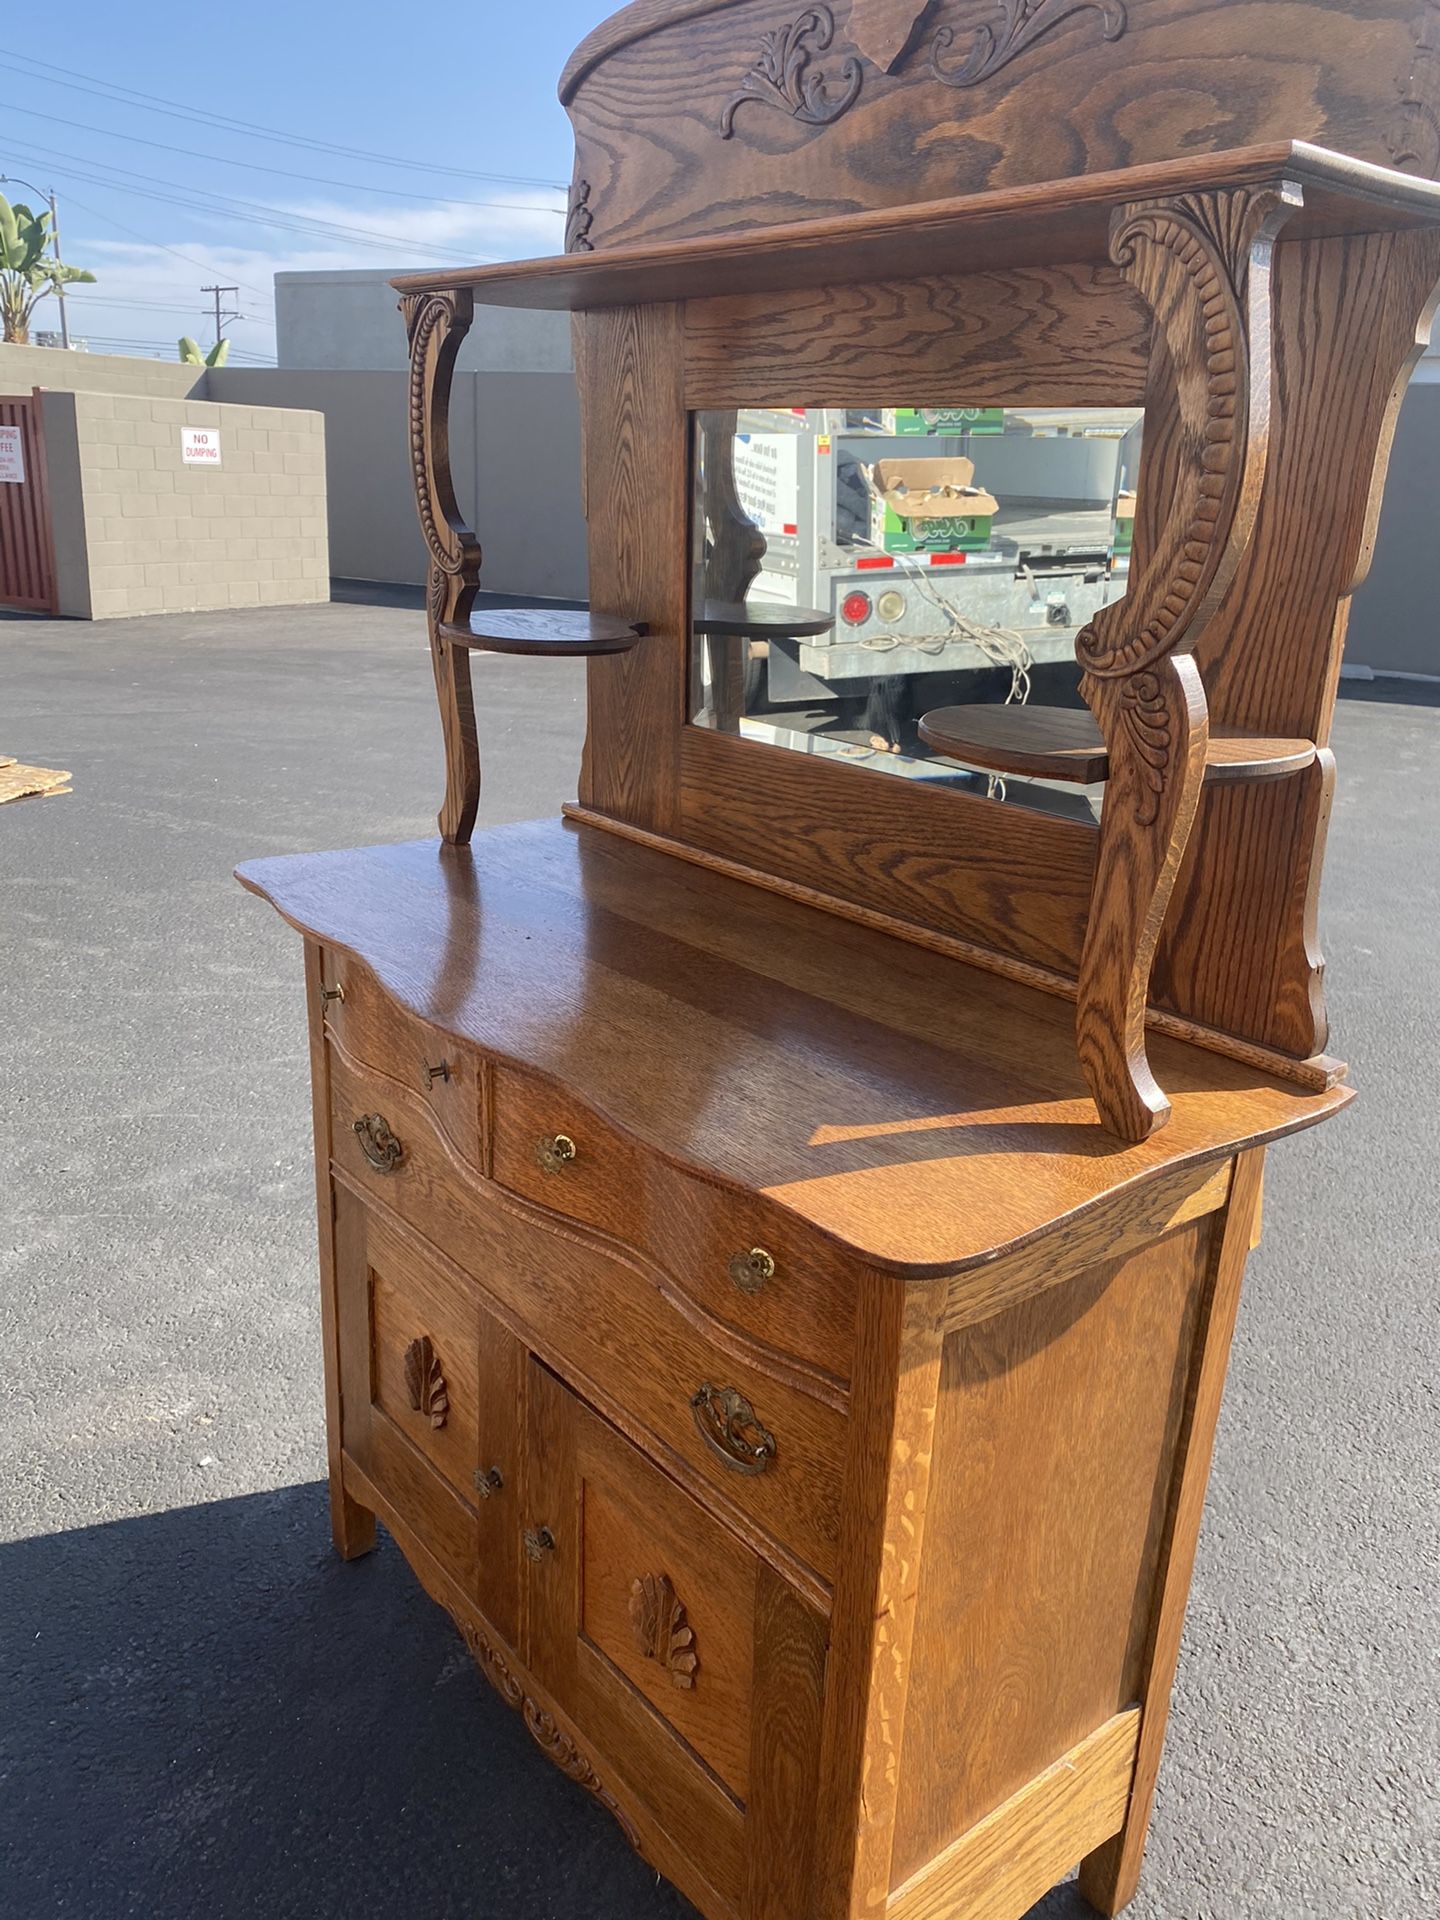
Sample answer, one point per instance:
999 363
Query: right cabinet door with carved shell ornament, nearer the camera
686 1660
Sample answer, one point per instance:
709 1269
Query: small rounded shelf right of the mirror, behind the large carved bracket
1067 744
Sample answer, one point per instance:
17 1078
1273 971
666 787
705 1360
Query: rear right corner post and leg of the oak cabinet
1113 1873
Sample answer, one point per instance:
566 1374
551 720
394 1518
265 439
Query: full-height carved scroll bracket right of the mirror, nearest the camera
1203 264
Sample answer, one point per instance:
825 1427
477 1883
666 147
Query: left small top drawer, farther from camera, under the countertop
385 1038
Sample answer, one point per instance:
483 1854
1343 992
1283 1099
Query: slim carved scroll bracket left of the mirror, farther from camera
437 324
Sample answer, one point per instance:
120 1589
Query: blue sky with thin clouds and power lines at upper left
471 89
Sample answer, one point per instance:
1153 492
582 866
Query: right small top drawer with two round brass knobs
738 1257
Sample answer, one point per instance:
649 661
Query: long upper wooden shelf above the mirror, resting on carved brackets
996 229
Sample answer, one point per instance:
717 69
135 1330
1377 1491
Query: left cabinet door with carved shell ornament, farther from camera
431 1406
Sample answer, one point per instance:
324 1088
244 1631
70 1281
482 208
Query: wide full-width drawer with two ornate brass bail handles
769 1449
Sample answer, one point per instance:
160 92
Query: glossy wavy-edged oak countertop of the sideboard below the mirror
915 1109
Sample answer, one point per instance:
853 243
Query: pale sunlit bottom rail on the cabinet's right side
1032 1842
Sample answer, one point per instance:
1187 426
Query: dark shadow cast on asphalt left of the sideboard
206 1712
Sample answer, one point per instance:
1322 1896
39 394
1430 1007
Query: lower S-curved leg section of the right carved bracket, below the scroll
1157 731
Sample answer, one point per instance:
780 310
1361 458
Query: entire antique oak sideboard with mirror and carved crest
782 1224
